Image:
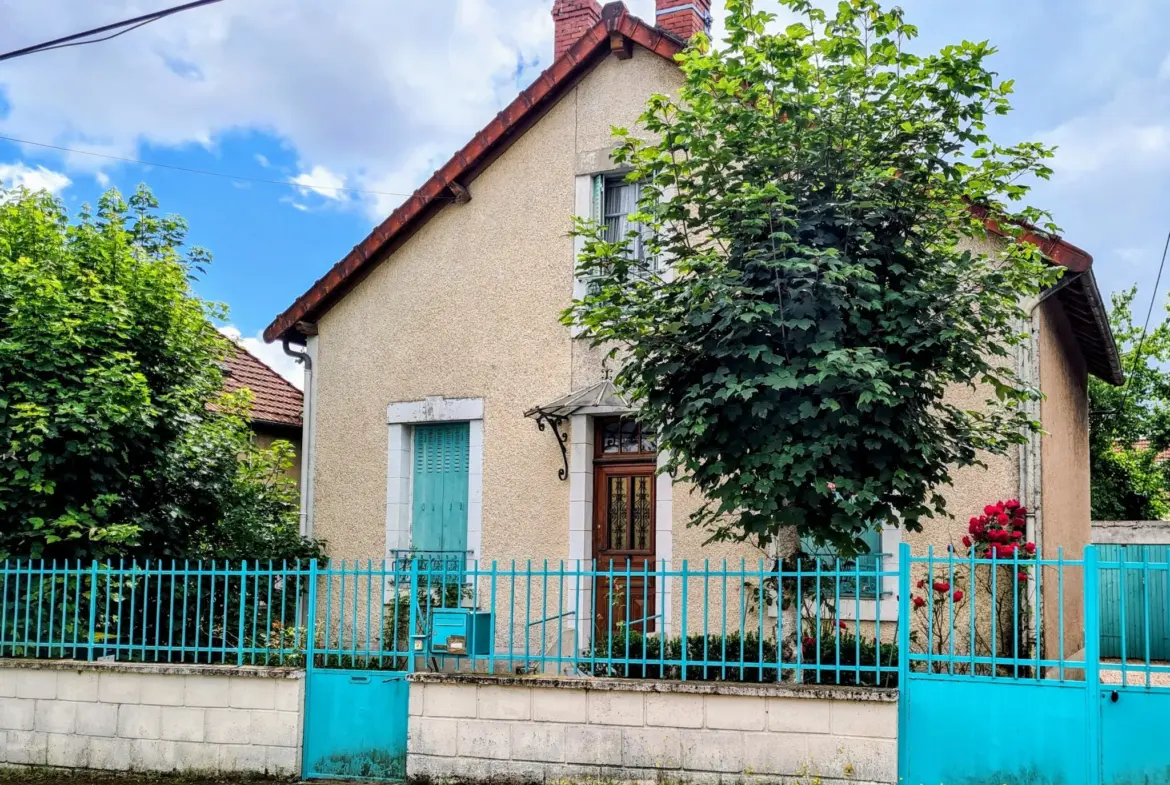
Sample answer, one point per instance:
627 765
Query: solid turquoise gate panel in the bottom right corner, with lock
1134 736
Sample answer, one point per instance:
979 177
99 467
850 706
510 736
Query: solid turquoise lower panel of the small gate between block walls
356 725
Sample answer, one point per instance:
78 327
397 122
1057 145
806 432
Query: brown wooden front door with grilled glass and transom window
624 472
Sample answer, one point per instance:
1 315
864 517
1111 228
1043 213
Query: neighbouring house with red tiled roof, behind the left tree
277 405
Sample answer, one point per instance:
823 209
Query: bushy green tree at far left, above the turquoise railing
114 435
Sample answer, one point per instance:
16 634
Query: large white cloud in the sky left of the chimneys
353 86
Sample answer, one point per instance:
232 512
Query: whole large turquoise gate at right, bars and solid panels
1006 681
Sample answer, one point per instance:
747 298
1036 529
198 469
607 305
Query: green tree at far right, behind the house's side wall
1127 481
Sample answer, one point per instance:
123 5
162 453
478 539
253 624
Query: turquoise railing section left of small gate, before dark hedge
239 614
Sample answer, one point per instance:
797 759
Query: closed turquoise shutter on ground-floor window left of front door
439 512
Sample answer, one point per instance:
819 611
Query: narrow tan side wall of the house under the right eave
1065 471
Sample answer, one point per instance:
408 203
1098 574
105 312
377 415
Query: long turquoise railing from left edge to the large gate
818 621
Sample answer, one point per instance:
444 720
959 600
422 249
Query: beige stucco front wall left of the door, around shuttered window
470 307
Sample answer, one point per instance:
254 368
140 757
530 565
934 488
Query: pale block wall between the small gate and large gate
479 728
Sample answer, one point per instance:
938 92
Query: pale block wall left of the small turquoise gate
150 718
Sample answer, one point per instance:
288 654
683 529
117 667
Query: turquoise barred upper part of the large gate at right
1038 619
